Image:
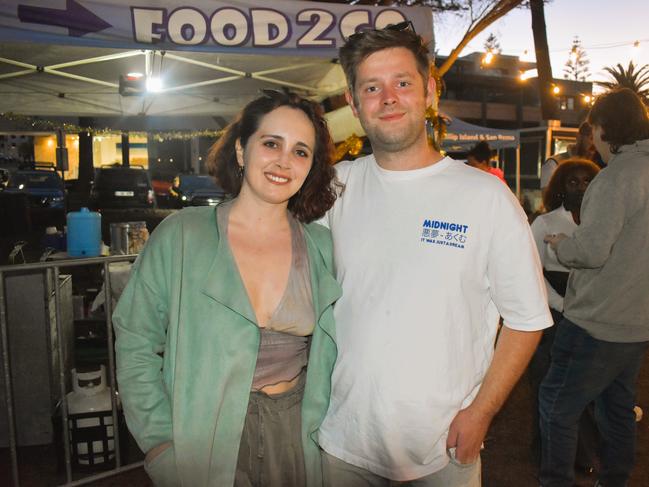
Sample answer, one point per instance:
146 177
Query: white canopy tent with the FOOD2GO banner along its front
66 59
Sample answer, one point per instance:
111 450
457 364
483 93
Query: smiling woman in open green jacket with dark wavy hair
223 306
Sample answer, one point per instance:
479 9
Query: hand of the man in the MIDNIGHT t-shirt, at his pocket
467 432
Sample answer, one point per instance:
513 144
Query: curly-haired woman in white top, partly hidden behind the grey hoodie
562 201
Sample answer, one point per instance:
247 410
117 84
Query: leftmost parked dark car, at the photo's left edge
42 185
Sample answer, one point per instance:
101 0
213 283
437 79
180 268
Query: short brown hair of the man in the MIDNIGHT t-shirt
361 45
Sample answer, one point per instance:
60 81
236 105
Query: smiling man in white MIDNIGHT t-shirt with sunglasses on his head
429 252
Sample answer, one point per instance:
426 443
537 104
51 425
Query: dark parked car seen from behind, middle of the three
122 187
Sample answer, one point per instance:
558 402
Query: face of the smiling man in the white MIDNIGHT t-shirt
391 99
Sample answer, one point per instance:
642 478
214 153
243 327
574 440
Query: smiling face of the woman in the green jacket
277 158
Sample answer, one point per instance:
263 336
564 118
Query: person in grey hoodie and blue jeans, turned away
601 343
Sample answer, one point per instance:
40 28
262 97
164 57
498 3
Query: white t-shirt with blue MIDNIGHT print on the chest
427 259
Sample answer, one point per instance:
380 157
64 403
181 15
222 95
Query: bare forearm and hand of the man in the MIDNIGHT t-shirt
514 350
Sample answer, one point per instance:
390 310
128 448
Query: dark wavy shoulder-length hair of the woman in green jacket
319 190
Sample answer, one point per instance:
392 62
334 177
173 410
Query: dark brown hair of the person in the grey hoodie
622 116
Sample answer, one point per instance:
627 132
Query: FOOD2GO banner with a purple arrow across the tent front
287 28
